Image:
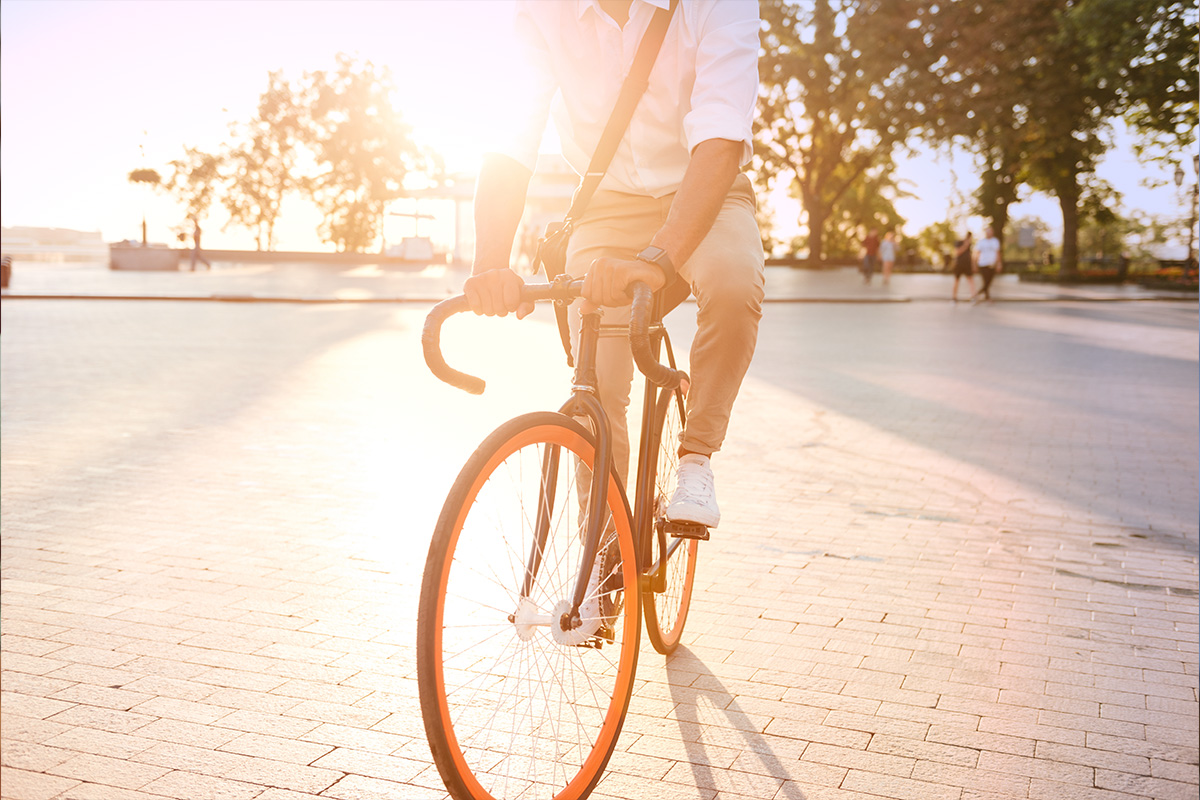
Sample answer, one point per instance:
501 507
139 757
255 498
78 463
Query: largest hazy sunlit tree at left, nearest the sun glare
363 151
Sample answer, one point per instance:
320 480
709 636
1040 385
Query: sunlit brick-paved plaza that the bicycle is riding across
958 556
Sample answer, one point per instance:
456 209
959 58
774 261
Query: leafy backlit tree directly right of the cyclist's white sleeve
833 98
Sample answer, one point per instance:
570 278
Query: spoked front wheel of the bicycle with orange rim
514 705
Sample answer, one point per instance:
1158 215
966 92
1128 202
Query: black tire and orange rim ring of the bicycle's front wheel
448 756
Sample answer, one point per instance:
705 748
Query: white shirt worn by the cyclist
704 86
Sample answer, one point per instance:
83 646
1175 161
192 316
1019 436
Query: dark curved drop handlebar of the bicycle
559 292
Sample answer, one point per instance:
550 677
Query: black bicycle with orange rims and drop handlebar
530 624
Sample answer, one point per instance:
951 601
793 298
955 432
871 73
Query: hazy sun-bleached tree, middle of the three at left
263 167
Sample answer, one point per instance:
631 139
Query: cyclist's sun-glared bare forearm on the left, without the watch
500 202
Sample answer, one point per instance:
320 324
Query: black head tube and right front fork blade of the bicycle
585 402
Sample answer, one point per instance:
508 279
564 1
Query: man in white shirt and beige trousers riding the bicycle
673 206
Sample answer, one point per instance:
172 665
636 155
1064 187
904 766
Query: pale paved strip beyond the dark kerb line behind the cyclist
374 284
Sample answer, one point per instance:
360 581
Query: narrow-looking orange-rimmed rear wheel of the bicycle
668 596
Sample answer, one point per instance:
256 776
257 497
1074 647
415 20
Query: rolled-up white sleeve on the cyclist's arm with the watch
727 89
